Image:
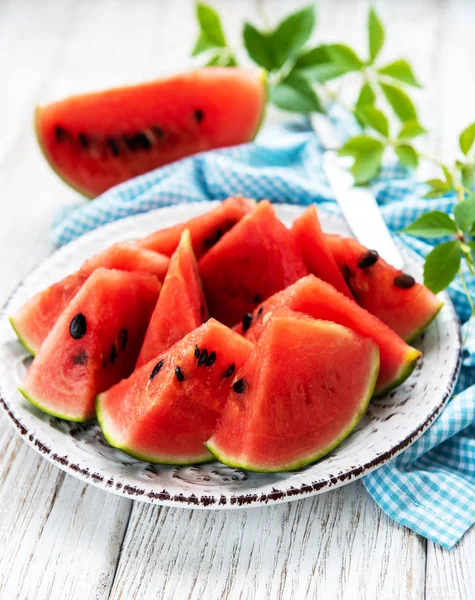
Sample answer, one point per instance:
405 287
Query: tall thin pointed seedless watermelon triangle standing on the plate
181 306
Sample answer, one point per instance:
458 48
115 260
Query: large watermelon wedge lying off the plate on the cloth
98 140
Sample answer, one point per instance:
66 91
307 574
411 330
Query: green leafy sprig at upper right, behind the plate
300 76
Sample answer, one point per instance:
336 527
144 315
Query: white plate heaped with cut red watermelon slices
224 355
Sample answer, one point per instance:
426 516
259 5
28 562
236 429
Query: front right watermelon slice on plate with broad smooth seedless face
293 400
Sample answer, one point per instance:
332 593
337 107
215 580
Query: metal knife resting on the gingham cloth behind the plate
358 205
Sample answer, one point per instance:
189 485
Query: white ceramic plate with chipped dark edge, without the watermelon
390 424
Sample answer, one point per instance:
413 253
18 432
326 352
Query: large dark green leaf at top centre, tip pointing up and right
292 33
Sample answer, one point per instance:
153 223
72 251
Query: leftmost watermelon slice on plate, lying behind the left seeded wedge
35 319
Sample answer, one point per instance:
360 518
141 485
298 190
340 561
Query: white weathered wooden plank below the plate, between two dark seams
335 545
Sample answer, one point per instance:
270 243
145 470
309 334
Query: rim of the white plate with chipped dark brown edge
210 501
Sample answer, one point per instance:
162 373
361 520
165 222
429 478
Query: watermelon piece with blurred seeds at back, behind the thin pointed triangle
206 229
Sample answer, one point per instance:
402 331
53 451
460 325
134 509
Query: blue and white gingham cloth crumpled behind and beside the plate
430 487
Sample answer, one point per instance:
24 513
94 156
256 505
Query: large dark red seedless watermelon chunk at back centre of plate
257 258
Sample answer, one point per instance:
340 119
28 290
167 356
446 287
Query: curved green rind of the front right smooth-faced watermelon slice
309 459
